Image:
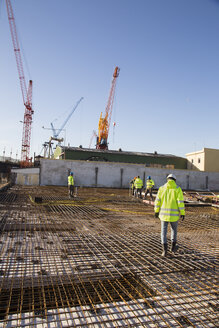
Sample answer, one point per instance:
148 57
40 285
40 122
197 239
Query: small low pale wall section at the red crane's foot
26 176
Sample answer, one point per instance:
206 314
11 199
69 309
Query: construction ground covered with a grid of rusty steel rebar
95 261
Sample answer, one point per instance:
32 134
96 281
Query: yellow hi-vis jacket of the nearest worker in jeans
169 202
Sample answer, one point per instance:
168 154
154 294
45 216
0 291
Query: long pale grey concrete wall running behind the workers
118 175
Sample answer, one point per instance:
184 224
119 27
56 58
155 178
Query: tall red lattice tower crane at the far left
26 93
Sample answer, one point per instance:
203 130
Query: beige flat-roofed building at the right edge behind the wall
206 159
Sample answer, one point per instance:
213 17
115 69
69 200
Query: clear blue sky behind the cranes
167 94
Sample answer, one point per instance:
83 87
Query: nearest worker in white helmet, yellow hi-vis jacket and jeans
169 207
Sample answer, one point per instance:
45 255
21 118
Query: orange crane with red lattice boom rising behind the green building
104 122
